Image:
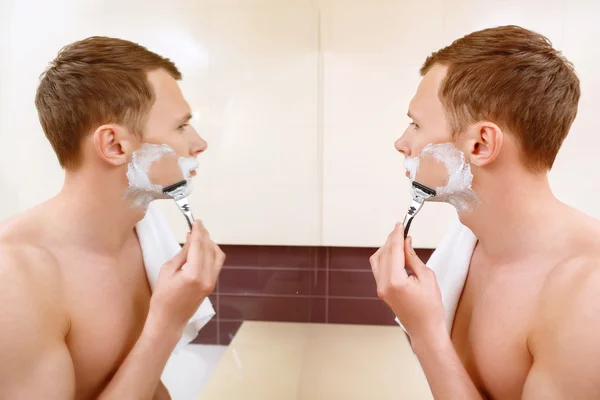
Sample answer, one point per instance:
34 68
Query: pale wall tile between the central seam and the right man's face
372 52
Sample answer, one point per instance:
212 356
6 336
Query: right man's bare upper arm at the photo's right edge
566 343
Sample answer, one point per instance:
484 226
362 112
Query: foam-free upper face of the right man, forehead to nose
429 123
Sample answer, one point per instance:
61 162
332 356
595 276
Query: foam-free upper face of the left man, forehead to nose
168 122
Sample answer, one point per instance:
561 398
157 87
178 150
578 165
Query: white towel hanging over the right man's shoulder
450 261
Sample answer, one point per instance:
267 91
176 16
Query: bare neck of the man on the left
95 211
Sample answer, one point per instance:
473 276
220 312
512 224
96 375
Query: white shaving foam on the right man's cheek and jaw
458 190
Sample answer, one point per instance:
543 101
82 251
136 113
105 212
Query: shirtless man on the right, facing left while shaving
528 321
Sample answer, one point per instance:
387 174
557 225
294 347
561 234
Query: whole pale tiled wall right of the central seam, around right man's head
372 53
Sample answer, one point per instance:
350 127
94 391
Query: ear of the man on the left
114 144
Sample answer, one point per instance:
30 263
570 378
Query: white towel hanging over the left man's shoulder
159 246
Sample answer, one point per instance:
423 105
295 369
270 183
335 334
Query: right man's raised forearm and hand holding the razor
417 302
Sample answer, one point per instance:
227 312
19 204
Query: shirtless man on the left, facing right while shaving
78 319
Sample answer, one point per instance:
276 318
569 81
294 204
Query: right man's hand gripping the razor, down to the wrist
415 299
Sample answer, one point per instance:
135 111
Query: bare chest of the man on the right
491 327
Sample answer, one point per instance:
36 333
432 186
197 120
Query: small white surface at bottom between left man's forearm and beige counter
188 370
